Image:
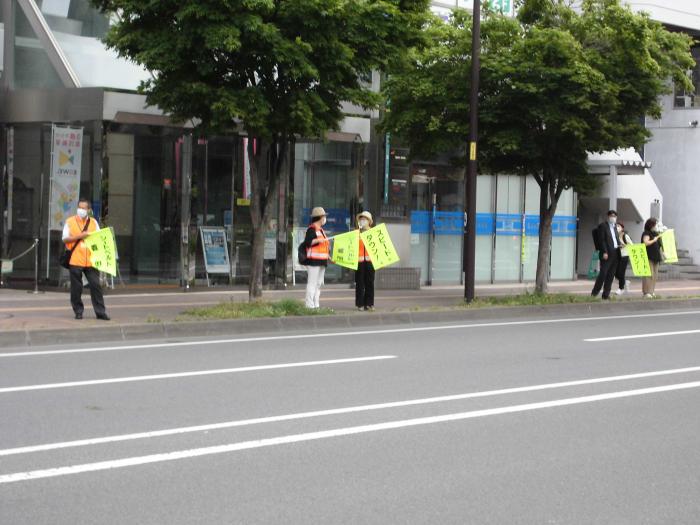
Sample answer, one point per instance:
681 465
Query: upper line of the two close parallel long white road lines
337 411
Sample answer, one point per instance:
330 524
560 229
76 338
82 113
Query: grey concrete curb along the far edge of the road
264 326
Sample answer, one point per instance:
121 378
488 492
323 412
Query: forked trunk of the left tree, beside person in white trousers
266 163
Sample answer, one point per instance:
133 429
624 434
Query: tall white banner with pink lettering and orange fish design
66 156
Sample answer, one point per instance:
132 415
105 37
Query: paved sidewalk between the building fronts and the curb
29 319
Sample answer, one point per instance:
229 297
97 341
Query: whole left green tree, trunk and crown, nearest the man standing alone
274 69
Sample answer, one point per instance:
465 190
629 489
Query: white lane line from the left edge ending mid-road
192 374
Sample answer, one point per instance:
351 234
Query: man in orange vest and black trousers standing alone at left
75 230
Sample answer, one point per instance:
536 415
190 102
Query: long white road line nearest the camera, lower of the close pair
325 434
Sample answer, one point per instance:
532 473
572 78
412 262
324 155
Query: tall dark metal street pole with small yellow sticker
470 183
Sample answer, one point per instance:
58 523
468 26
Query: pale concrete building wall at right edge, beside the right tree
674 151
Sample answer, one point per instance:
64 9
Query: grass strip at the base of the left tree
233 310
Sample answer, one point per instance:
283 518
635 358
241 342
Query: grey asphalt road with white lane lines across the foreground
513 421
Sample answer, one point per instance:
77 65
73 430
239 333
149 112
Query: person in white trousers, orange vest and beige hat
317 256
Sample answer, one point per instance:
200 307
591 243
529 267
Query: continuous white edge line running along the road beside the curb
342 334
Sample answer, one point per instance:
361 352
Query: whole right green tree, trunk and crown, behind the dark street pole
556 84
